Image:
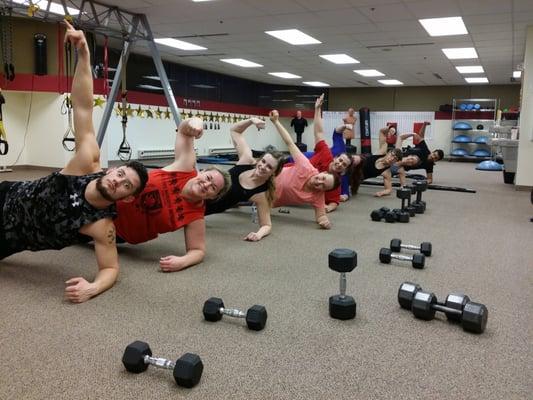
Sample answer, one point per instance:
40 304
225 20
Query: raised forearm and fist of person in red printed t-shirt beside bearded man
184 154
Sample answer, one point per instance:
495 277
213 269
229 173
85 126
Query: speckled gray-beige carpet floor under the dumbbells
482 245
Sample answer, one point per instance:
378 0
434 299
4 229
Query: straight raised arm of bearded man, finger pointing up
87 156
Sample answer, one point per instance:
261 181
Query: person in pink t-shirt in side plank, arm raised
302 183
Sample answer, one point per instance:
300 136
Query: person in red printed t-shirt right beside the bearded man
173 199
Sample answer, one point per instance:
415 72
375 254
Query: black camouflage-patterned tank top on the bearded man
47 213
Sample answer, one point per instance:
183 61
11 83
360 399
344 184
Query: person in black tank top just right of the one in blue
367 166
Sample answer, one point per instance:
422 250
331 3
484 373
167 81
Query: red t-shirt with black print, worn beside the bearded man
158 209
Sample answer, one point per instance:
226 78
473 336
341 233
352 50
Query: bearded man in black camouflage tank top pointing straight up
76 204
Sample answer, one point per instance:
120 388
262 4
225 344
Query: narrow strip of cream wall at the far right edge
524 170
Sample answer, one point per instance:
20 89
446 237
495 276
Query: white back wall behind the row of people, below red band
38 116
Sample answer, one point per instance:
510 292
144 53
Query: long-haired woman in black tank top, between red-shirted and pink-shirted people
251 180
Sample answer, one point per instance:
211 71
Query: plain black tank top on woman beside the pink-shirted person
236 193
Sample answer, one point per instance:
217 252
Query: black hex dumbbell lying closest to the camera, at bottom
187 370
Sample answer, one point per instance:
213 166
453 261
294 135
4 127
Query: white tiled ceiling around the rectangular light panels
381 34
